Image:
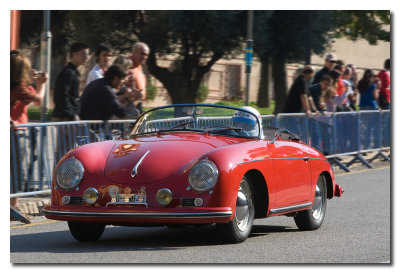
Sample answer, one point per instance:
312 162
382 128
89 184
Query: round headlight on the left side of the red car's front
69 163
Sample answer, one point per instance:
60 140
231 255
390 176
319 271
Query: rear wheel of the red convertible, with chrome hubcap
312 219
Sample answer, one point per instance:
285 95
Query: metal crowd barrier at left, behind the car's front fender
35 149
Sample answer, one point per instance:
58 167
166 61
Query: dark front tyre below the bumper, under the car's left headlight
86 232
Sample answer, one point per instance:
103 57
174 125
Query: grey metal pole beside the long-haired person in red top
45 59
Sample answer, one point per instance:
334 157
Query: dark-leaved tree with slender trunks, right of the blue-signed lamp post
284 37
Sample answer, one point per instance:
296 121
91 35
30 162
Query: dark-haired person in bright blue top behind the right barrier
368 91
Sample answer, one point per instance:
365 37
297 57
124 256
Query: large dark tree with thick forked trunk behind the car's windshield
196 38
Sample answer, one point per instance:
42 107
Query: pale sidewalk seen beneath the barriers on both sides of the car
33 205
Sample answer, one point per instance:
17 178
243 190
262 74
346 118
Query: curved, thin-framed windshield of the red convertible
208 119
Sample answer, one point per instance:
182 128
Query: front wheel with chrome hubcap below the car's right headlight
237 230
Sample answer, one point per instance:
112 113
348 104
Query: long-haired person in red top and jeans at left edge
22 93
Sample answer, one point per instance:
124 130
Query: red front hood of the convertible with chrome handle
158 156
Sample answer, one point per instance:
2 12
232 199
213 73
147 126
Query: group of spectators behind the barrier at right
336 88
